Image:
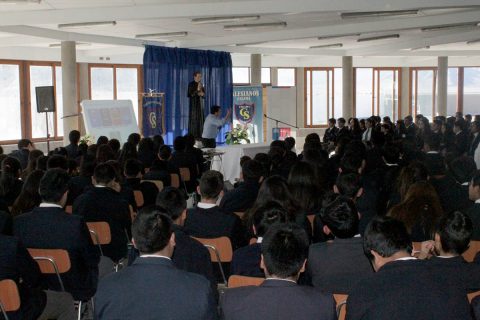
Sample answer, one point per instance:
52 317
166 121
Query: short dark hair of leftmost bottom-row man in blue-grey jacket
151 229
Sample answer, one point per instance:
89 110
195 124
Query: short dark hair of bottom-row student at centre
284 249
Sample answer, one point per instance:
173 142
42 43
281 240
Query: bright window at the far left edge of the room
10 107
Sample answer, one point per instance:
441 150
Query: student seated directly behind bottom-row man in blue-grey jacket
189 255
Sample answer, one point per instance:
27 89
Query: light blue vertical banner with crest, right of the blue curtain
248 111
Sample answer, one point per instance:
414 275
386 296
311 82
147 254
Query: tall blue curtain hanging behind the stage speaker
169 70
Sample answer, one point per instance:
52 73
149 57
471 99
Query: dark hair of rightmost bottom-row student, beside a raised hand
455 230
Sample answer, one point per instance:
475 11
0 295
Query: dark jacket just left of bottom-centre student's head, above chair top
246 261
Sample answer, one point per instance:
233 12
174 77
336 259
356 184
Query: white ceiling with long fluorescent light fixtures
27 29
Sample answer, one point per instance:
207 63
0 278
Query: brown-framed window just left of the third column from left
321 95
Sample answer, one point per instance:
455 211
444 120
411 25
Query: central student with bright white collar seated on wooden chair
207 220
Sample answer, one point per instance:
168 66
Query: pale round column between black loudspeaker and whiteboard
69 88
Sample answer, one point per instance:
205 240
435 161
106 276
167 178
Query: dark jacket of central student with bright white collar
214 223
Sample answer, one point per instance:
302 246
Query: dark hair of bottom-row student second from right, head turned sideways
386 236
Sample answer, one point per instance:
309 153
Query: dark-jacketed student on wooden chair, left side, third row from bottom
104 203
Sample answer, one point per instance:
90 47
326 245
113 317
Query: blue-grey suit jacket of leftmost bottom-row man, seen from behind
152 288
